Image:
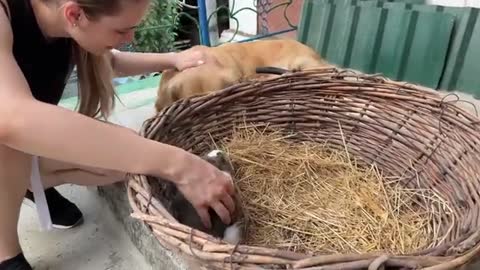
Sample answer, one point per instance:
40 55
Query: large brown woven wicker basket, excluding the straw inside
385 122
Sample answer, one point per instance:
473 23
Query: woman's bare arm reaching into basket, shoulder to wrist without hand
54 132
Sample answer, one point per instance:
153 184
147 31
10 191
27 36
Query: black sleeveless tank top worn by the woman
46 64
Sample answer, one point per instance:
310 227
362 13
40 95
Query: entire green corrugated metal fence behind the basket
405 40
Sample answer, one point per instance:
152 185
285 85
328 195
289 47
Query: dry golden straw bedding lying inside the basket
307 197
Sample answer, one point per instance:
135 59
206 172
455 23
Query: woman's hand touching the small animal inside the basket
206 186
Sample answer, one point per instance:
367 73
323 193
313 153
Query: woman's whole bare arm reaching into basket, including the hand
46 130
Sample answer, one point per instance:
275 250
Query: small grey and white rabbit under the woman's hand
182 210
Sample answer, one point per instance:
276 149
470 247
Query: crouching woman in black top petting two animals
40 41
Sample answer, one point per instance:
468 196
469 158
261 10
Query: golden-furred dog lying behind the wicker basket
231 63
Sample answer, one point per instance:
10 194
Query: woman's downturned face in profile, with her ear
107 32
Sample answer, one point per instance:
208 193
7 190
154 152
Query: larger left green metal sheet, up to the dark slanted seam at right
400 43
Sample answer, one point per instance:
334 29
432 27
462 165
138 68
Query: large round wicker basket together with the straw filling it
408 158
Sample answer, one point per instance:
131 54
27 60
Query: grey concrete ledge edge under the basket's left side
139 233
